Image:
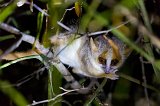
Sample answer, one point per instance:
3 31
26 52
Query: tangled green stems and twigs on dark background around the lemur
32 79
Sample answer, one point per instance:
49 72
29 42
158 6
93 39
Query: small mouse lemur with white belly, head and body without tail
96 57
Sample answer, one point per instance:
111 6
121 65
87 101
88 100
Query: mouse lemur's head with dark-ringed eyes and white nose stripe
108 54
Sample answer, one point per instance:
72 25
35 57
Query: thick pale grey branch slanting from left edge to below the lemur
30 39
